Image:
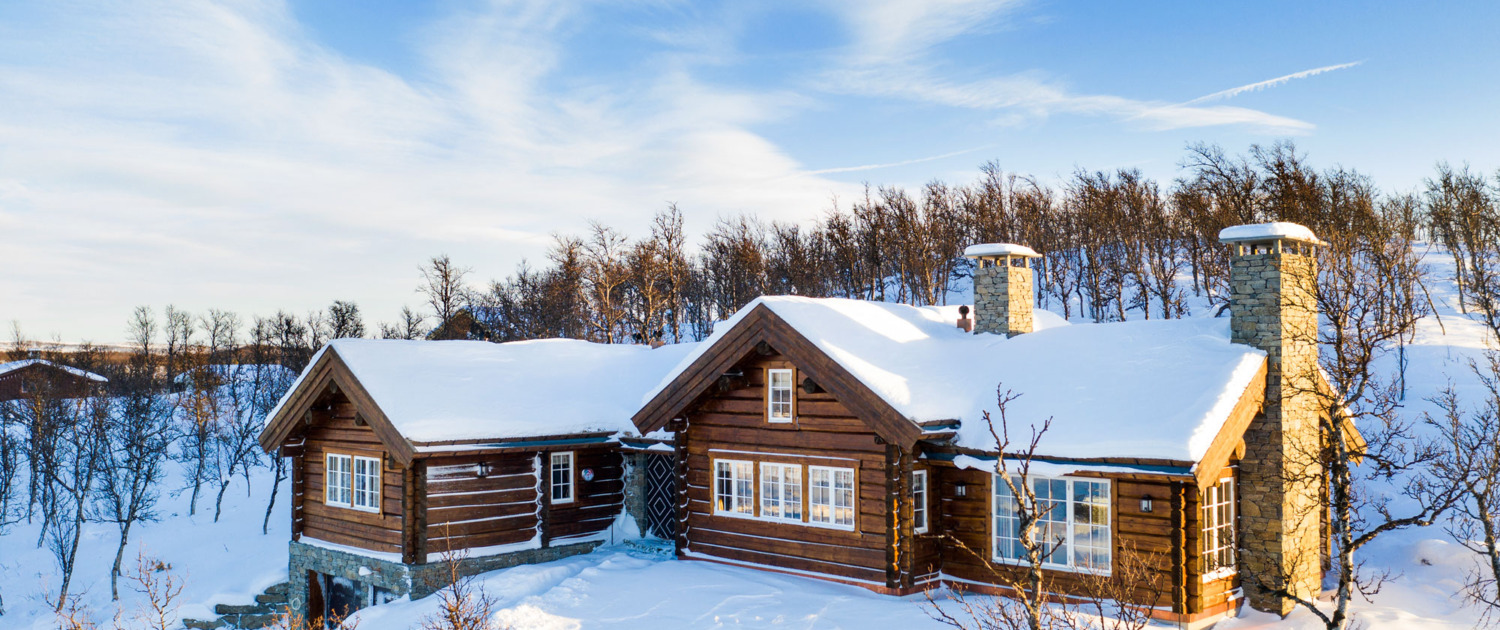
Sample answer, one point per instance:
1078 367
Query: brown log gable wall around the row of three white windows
731 425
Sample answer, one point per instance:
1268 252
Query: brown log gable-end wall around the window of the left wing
338 433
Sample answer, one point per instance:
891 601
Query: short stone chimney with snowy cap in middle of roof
1003 289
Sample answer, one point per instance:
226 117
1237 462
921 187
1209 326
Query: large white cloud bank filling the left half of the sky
215 155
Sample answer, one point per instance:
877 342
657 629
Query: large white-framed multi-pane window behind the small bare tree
1073 527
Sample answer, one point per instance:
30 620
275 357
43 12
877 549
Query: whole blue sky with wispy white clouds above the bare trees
256 155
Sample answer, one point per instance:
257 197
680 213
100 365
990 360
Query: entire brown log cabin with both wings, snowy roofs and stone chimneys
838 440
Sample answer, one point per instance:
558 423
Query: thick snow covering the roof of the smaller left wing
437 391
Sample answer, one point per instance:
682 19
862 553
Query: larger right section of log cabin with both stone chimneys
853 440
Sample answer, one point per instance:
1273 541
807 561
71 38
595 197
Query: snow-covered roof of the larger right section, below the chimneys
1144 389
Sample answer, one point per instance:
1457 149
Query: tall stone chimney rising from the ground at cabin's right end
1273 307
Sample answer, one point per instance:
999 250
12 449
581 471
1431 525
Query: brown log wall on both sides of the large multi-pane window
968 520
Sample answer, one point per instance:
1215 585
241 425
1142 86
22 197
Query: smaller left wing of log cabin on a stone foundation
410 455
